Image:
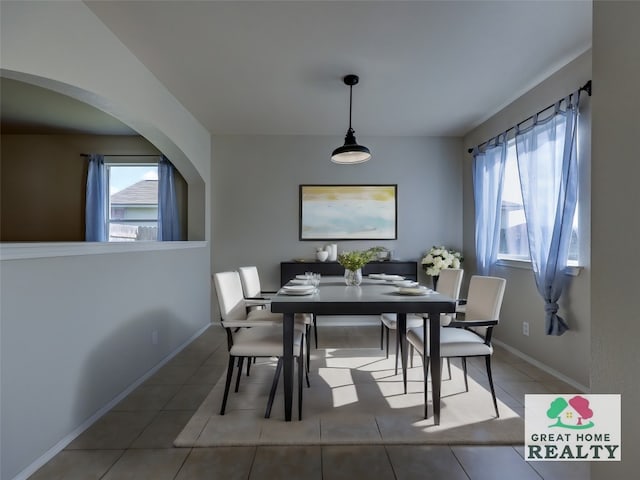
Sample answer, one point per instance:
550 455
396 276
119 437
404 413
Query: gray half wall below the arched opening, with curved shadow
77 331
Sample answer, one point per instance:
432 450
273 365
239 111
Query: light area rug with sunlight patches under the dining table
355 398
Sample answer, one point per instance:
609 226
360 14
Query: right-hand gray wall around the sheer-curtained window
569 353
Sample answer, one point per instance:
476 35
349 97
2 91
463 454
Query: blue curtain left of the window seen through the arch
96 200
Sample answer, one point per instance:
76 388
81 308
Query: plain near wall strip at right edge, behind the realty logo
615 356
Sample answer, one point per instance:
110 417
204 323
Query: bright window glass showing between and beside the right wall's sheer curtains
514 244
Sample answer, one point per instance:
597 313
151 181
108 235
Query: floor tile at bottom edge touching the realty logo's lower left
491 463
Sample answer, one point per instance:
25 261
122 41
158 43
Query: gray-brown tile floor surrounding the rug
134 440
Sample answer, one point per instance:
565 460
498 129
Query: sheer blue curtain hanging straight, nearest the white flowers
488 174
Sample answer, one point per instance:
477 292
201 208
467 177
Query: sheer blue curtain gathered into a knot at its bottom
547 161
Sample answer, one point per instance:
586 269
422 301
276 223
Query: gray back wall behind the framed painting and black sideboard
255 181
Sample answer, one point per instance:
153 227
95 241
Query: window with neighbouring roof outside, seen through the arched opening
132 202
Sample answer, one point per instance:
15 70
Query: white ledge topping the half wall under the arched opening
16 251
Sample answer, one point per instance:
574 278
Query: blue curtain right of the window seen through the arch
168 221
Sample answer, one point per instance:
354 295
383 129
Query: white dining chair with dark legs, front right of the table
470 337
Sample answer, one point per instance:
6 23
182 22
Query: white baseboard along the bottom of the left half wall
67 439
